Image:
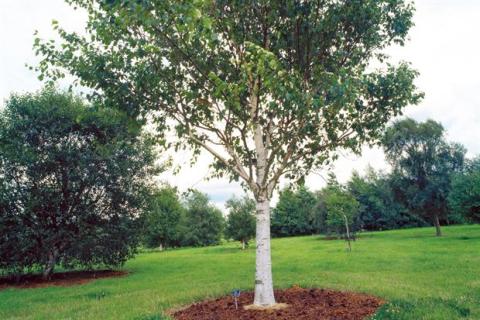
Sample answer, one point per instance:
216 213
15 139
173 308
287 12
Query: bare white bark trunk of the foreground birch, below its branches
263 272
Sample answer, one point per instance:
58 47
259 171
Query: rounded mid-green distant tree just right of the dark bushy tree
162 220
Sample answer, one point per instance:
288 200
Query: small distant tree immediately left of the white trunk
240 220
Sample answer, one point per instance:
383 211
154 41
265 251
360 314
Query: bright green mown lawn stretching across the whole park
421 277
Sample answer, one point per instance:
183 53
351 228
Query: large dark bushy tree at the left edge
72 183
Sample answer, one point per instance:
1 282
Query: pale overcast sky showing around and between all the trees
443 47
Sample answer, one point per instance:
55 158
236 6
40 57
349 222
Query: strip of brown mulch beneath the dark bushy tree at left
58 279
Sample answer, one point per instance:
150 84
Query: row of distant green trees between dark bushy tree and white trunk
173 220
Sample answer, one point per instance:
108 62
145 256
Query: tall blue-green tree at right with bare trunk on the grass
423 164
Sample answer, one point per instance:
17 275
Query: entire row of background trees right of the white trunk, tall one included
431 183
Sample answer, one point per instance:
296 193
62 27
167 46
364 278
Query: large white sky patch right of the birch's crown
444 49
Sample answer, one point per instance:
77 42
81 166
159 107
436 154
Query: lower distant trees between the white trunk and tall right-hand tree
366 201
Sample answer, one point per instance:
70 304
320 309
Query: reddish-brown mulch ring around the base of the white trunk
305 304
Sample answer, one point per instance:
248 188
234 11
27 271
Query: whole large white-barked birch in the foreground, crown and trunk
269 88
